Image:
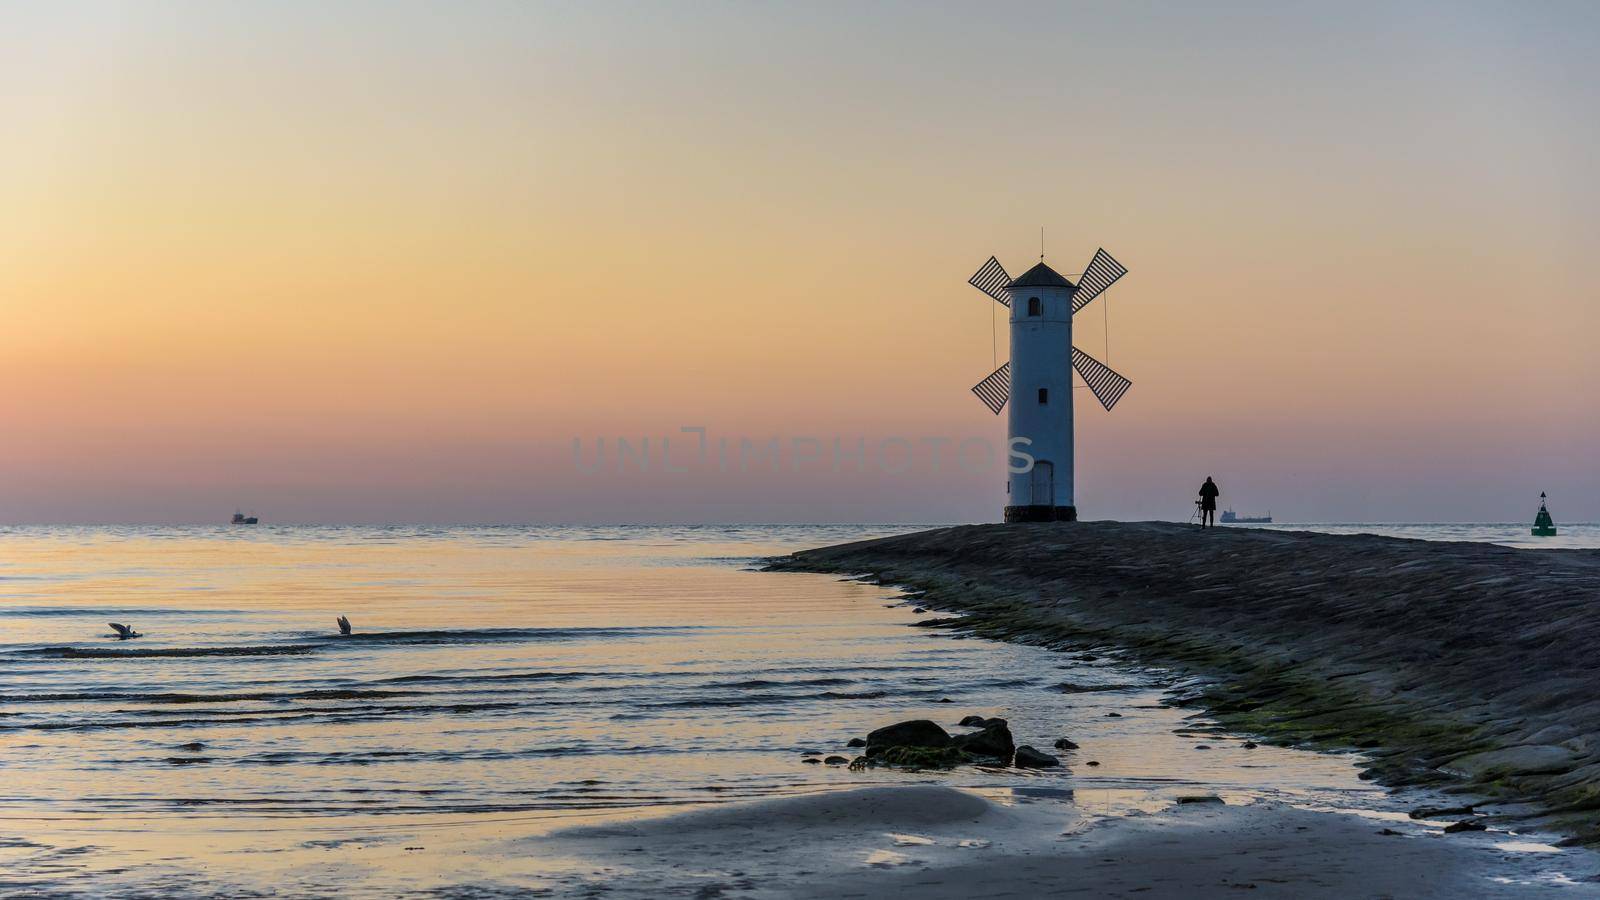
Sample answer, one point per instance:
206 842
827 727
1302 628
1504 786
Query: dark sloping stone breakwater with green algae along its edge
1465 667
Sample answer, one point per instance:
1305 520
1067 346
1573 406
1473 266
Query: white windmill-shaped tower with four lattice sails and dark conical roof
1038 382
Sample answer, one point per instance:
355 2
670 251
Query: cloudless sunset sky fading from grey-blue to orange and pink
385 262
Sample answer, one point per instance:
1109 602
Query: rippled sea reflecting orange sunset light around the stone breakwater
506 683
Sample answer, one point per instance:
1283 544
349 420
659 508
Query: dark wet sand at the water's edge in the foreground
937 842
